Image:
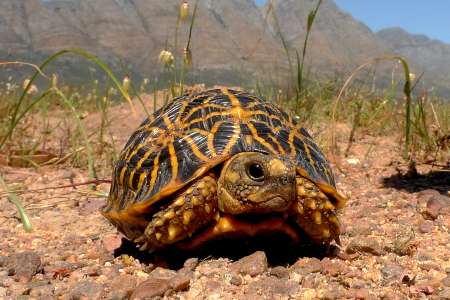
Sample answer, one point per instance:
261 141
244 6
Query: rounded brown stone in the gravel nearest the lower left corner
24 265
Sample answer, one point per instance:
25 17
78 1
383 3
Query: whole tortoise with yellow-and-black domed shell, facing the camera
220 163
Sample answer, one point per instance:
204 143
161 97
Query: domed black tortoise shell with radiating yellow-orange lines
195 133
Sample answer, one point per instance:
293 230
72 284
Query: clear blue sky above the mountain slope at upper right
431 17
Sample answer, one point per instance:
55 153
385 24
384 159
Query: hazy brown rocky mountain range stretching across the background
232 39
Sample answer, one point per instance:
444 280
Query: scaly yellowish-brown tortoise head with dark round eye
253 182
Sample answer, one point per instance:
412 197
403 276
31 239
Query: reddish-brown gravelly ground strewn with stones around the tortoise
395 245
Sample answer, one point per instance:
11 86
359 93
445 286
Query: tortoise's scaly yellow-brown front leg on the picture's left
191 209
